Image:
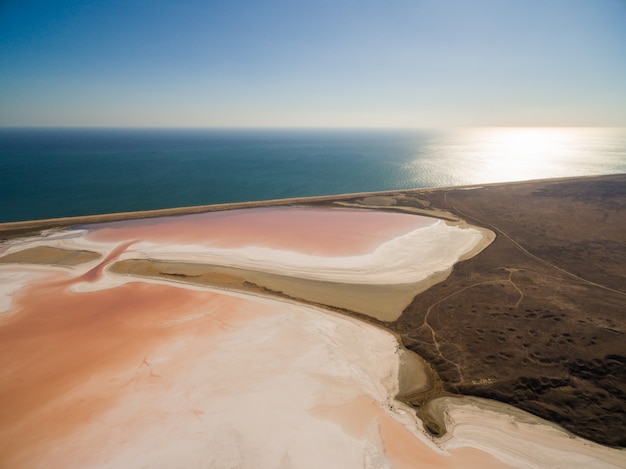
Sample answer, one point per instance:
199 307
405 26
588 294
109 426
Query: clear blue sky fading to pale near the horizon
314 63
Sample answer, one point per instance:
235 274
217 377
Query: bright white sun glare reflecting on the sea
494 154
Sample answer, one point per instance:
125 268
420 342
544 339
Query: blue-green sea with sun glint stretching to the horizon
49 173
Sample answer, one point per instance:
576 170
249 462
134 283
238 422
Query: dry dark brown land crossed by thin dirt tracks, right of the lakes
538 319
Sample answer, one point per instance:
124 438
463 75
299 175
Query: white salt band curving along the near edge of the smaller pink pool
410 258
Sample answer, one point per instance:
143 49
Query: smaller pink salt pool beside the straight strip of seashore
322 232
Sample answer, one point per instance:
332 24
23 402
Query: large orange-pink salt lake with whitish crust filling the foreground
69 360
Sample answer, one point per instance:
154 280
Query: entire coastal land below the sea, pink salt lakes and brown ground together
150 339
